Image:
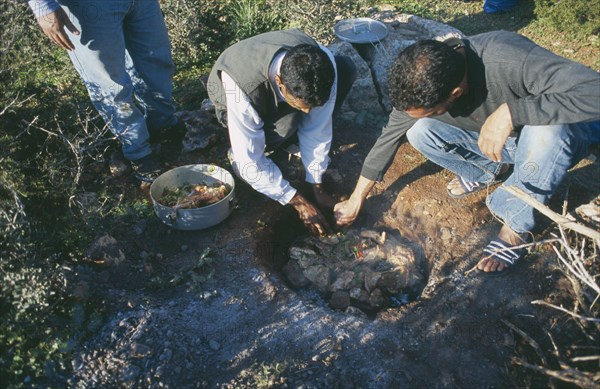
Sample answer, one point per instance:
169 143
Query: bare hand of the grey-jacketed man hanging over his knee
494 132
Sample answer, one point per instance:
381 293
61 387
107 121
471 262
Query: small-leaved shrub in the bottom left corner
30 341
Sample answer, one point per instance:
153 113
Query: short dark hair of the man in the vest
307 73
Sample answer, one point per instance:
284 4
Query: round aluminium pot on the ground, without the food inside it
194 218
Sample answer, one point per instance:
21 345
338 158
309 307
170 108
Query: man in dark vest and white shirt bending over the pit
267 89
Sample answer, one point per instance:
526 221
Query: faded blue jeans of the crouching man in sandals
541 156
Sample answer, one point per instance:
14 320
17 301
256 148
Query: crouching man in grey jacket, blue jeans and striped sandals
476 106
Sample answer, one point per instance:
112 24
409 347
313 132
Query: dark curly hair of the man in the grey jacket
424 74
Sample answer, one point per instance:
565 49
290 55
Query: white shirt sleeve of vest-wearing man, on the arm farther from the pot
315 134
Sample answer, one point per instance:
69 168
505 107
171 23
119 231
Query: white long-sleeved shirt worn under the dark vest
247 137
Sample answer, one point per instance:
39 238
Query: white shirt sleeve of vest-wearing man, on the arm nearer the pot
247 139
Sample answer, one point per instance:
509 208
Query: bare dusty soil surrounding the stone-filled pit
238 324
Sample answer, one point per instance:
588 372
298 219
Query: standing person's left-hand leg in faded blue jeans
99 57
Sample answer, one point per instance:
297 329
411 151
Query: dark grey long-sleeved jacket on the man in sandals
539 87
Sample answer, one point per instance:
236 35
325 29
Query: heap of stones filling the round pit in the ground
364 269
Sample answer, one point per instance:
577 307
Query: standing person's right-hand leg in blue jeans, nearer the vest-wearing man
148 45
